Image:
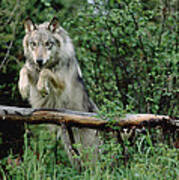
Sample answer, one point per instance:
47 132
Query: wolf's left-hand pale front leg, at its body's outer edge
24 82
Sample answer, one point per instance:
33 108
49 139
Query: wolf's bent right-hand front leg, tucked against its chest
48 82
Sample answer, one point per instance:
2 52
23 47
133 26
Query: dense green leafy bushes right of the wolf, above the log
129 54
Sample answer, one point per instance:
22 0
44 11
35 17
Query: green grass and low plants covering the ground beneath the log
42 161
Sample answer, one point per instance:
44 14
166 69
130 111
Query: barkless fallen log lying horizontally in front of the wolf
82 119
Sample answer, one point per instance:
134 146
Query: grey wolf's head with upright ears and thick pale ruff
46 43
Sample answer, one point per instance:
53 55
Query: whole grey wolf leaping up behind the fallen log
51 78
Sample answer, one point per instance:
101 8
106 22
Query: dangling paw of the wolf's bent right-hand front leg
43 84
